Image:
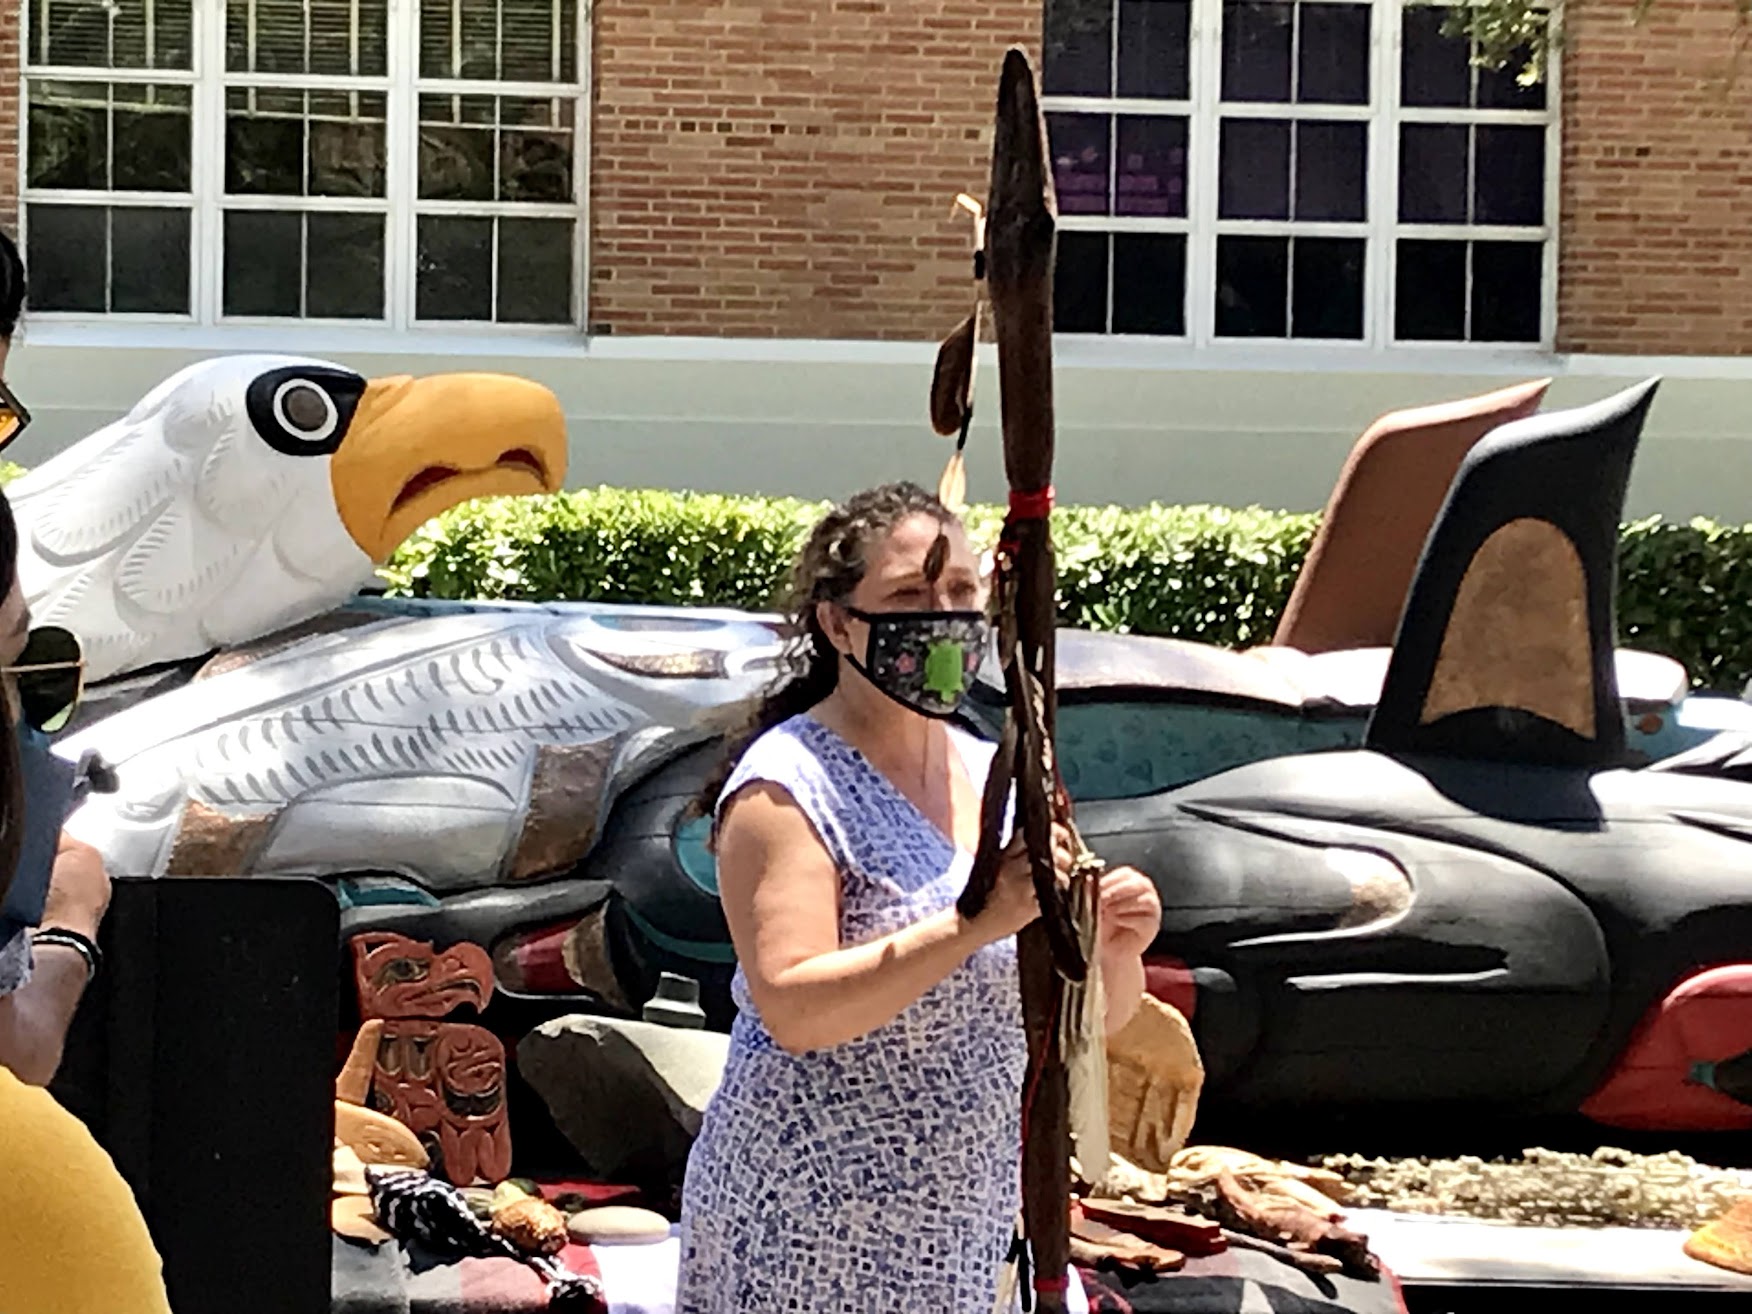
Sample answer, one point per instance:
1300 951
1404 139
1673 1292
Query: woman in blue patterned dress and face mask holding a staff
863 1152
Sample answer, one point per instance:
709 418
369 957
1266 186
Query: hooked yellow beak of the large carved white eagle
418 448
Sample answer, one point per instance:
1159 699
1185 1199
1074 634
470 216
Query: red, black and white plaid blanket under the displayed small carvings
640 1280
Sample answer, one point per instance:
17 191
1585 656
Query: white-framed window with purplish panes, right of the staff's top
1296 171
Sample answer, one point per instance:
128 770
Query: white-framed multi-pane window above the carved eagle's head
379 162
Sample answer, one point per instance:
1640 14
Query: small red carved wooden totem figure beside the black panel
444 1080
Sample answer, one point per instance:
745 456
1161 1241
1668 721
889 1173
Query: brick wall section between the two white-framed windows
789 167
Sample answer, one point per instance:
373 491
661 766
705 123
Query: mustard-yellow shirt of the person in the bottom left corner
73 1240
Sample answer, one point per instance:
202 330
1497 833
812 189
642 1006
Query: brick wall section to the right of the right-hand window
1657 241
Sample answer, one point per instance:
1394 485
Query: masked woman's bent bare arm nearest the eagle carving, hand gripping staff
781 896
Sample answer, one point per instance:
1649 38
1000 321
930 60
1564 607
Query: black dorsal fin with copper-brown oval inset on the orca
1506 649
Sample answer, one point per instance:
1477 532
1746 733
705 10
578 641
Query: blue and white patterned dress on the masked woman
880 1175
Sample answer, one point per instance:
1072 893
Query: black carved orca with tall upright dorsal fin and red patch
1485 905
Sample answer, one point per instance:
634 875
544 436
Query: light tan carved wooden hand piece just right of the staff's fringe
1154 1084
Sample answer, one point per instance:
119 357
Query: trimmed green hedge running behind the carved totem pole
1203 574
